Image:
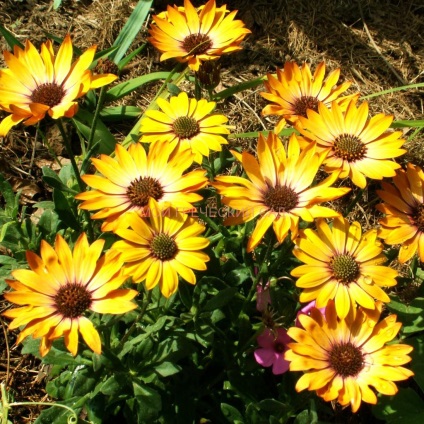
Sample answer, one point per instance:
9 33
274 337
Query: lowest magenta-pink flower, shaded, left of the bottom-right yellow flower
272 348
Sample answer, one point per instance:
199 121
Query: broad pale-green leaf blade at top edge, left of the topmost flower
131 29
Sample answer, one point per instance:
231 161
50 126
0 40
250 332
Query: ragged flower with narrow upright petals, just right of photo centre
278 189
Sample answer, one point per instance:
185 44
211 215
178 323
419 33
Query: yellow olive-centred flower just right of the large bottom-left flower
159 250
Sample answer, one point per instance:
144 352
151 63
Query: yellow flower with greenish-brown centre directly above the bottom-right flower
343 264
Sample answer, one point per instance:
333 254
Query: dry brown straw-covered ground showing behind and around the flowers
378 44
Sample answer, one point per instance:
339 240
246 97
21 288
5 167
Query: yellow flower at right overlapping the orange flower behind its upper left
355 145
